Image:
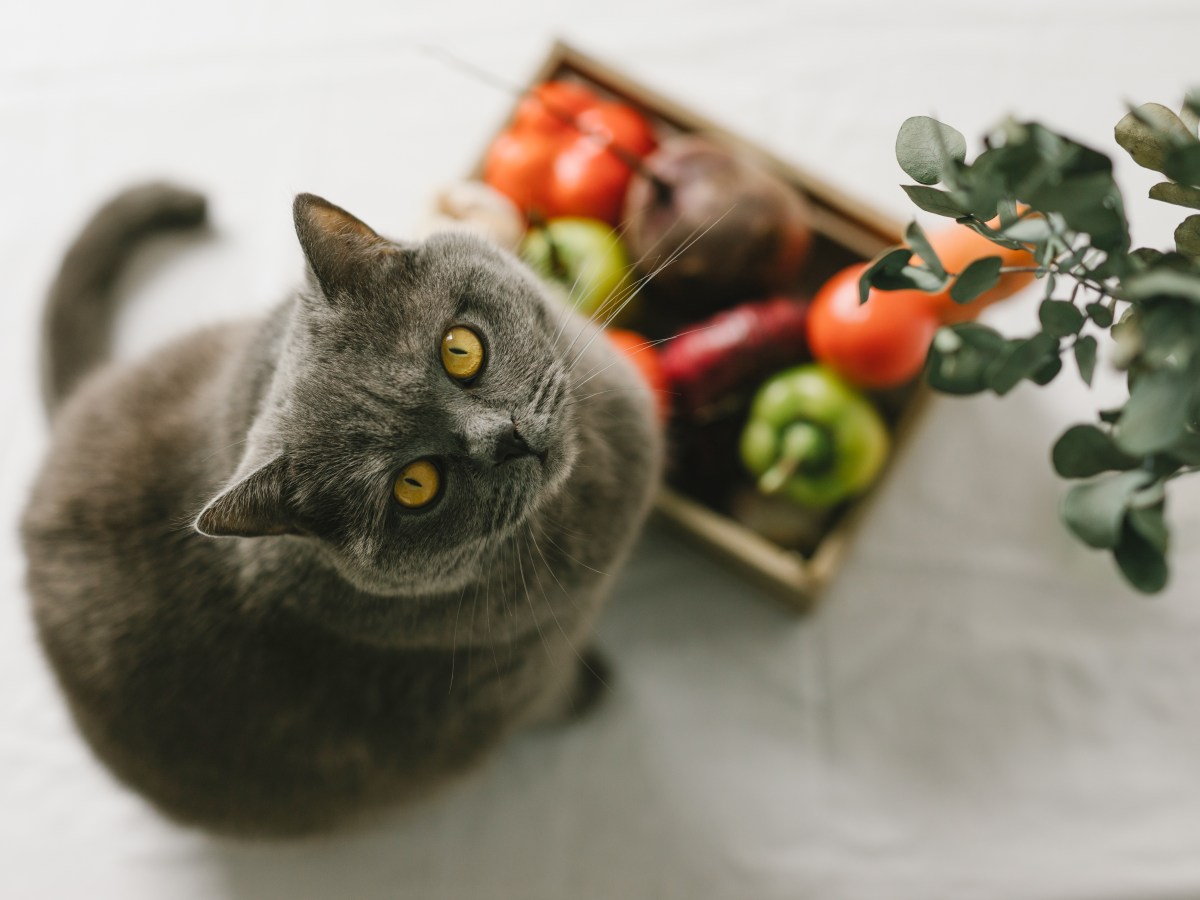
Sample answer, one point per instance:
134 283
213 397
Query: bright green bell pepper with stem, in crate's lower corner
813 439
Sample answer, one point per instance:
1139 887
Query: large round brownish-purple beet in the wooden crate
719 225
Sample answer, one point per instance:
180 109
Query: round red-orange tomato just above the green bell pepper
881 344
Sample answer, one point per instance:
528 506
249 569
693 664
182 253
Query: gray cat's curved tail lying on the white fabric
80 310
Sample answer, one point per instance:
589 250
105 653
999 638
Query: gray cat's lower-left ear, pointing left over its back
255 507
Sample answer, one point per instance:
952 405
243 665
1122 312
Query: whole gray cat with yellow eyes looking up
297 569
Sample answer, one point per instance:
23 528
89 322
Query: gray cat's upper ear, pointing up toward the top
339 247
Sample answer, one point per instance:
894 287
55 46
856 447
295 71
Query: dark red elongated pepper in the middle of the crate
742 345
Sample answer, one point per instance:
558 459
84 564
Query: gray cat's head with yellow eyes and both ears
418 415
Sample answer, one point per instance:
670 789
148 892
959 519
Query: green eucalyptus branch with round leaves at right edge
1071 219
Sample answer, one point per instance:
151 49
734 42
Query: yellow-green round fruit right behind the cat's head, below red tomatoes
585 259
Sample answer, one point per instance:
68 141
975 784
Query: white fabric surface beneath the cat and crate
979 710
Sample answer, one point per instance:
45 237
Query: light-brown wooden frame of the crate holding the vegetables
845 231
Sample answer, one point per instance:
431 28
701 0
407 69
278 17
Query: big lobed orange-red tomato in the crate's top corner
569 153
